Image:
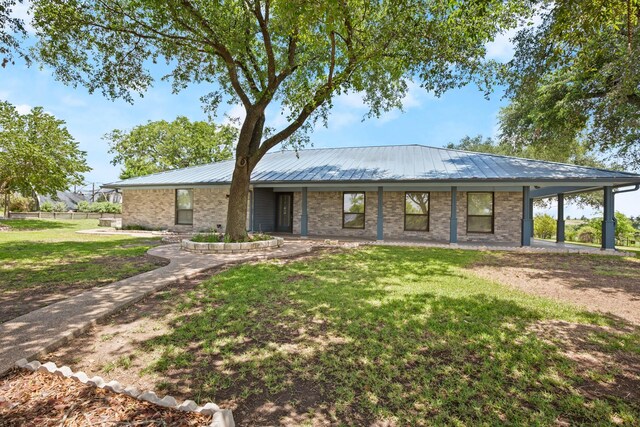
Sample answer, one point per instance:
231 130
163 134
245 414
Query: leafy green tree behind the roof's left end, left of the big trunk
159 146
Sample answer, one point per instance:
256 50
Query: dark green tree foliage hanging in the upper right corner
576 76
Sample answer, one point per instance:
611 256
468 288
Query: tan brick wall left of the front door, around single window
156 208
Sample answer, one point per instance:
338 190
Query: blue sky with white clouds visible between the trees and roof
426 120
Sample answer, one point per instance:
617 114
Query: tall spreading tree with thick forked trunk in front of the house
295 55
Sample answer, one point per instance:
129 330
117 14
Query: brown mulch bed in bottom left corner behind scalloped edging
43 399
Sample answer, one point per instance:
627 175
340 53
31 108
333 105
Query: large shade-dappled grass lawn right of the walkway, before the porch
398 335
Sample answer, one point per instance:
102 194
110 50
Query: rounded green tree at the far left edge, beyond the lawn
37 153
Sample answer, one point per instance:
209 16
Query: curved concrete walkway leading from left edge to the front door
43 330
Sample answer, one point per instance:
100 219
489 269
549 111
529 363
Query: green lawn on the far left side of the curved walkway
44 259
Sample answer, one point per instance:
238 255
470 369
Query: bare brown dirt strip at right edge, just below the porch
608 284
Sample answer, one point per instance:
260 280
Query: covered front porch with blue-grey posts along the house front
285 209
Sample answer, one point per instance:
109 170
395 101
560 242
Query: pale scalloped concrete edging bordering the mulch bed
220 417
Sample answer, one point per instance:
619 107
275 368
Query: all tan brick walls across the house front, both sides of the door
156 209
